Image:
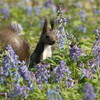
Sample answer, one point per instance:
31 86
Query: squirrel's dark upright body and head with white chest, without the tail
43 49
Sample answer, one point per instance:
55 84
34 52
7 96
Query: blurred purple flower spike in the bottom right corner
89 92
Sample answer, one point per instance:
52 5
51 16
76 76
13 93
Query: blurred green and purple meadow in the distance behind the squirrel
83 16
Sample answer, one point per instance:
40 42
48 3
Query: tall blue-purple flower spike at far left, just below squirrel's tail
10 61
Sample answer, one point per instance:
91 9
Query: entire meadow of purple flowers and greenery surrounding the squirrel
73 71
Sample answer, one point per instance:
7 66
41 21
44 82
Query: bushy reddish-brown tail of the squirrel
9 35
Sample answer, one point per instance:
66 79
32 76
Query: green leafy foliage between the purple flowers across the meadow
32 30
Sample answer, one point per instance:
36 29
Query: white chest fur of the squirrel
47 52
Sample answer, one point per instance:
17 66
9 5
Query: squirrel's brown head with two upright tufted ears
48 35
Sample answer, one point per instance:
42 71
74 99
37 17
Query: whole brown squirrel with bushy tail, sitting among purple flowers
9 35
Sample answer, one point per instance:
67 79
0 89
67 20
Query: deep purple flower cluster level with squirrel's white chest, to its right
75 52
